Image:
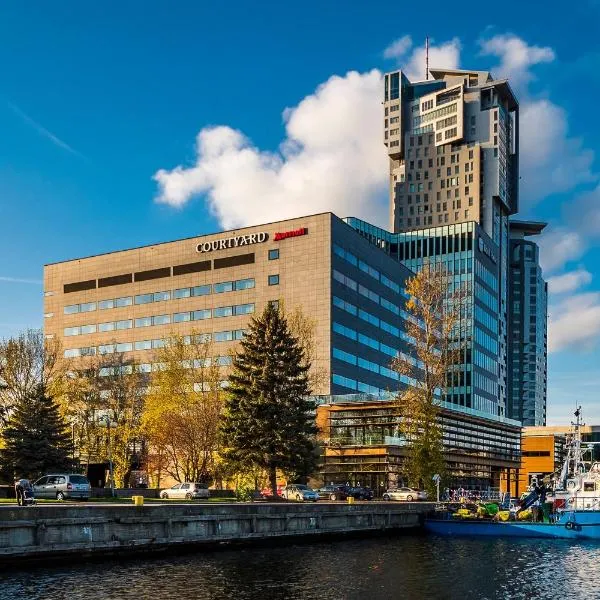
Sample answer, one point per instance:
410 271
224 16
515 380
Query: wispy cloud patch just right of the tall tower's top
544 127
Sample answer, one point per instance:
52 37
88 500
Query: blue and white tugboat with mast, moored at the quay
566 506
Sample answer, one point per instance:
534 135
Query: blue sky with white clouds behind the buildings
130 123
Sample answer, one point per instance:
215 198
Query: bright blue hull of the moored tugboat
571 525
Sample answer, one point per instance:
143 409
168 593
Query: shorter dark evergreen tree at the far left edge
35 440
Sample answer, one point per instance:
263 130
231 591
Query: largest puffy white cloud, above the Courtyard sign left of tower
332 158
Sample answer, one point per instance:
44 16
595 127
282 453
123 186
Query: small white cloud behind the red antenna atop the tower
412 59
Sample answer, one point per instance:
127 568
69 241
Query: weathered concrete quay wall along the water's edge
55 532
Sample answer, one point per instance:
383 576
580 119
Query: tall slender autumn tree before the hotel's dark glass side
434 325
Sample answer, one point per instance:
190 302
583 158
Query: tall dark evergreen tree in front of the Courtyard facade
267 421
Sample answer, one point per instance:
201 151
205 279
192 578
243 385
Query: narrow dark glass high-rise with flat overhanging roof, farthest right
527 329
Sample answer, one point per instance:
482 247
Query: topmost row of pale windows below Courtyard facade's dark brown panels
201 290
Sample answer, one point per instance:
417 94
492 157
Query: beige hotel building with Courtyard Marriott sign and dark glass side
131 301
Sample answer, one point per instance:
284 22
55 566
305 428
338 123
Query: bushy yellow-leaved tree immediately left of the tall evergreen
183 410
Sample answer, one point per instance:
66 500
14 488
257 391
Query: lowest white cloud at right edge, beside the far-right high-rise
574 322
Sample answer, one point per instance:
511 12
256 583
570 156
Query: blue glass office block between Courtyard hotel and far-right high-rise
471 260
